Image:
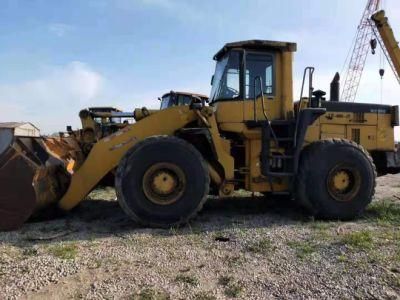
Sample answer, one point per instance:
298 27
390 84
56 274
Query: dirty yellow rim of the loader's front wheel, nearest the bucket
164 183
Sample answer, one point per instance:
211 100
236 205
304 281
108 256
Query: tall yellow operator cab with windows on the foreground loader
253 79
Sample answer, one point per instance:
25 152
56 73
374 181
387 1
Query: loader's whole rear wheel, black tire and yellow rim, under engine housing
336 179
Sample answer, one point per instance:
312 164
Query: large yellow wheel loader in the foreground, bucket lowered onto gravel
325 154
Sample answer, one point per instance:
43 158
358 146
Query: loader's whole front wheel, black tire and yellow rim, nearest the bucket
162 181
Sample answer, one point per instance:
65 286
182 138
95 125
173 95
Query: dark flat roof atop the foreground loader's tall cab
256 45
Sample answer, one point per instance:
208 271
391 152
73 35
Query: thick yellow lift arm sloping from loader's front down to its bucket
106 154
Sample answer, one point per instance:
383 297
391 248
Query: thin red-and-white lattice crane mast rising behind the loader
360 51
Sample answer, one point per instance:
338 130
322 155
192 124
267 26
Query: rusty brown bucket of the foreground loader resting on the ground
30 178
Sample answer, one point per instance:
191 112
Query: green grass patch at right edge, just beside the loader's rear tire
384 212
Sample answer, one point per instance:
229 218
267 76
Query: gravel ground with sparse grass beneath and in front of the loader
245 248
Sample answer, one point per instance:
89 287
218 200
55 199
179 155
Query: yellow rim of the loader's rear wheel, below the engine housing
343 182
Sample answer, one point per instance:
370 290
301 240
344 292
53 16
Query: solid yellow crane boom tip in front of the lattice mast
385 36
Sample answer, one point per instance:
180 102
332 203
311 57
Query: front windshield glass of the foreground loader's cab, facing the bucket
226 80
